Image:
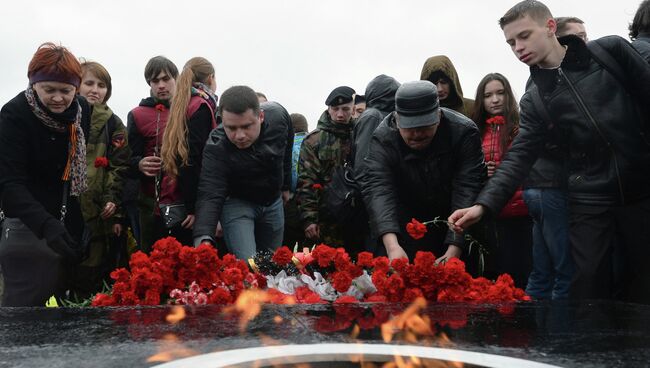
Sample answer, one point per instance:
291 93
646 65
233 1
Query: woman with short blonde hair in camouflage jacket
107 157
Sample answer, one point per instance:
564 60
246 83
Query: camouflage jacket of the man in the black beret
322 150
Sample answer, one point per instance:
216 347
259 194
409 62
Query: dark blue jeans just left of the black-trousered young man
553 266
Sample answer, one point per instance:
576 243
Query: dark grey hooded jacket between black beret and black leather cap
380 101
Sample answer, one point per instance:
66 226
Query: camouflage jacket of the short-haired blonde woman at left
105 181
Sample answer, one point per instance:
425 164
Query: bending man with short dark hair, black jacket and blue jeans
246 174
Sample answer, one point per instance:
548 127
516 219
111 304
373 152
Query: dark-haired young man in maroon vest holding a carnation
146 126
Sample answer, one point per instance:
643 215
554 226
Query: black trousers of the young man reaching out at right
594 233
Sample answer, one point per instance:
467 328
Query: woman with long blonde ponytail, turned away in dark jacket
191 119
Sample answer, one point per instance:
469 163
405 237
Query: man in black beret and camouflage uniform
323 150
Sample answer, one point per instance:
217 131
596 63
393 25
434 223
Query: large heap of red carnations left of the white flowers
177 274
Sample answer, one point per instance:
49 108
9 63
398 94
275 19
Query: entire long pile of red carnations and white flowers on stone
177 274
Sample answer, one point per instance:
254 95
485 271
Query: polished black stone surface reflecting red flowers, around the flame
587 334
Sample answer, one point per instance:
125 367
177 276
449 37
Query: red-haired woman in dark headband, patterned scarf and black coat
42 174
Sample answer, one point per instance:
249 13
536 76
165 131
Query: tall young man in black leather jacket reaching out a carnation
601 125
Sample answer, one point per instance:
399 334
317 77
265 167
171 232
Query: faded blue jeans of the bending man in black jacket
249 227
